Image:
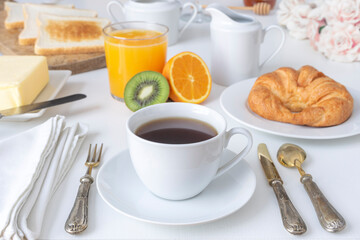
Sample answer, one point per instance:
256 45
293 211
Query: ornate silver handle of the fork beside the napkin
78 217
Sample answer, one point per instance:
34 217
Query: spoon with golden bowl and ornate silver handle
290 155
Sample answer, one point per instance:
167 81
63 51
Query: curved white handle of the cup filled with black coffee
239 156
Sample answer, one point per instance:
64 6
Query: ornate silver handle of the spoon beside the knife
329 218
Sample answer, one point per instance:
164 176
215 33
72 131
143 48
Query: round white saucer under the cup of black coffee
119 186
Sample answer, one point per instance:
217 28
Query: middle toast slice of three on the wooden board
30 32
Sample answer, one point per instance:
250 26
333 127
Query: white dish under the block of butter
57 79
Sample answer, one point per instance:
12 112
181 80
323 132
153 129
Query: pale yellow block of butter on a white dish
21 79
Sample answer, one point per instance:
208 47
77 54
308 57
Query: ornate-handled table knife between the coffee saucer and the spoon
292 220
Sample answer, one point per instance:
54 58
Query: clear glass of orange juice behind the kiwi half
130 48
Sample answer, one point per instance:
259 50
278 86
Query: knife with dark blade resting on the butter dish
40 105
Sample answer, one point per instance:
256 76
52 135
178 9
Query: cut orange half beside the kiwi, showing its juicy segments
189 78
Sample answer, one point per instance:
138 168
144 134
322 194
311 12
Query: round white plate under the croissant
233 101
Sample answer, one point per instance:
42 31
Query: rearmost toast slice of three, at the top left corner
15 15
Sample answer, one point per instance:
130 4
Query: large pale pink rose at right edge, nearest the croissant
340 42
